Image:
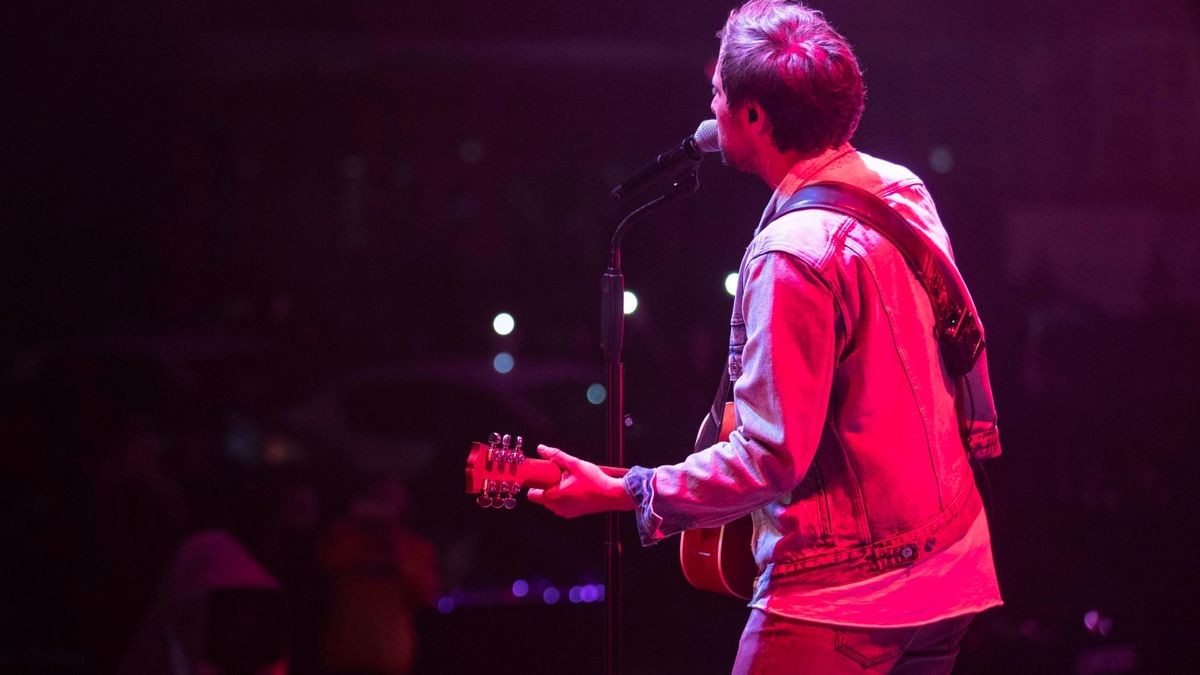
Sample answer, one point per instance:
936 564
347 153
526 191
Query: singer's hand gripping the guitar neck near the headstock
584 488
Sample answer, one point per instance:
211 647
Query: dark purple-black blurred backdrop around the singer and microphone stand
251 254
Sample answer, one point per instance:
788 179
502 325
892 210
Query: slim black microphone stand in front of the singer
613 337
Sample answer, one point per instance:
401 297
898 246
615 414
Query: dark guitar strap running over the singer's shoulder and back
958 330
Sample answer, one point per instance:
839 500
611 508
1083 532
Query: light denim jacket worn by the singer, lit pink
848 449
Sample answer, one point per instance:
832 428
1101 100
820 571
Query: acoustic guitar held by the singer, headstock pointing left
713 559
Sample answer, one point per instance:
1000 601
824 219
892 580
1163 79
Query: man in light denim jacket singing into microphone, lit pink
853 438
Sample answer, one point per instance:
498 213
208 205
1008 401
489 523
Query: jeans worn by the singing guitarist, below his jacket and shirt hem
777 646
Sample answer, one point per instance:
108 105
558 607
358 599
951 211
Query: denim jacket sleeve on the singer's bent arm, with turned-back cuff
782 383
